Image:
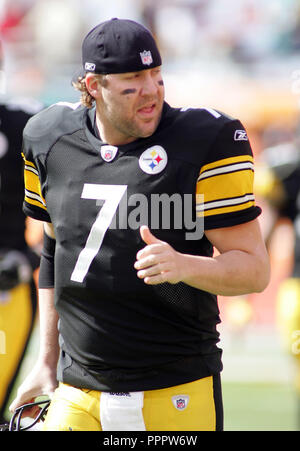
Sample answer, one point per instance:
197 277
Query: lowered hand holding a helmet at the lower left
41 381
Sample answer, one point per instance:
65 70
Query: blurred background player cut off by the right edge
280 186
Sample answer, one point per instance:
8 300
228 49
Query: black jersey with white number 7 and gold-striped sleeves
116 332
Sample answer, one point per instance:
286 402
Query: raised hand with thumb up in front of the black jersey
158 262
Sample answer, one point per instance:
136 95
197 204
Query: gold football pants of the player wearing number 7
195 406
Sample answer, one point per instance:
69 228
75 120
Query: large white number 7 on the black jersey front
112 195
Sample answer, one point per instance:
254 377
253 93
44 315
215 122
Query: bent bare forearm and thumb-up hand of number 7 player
241 267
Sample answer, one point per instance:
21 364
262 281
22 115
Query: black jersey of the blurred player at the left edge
14 115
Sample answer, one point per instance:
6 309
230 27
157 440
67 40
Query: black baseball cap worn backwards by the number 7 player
119 46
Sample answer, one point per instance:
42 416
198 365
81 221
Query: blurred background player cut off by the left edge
17 260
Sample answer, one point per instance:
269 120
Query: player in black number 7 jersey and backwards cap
129 340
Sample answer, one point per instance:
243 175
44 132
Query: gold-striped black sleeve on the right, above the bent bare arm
224 190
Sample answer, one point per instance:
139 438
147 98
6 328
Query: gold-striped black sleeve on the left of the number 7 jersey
34 204
